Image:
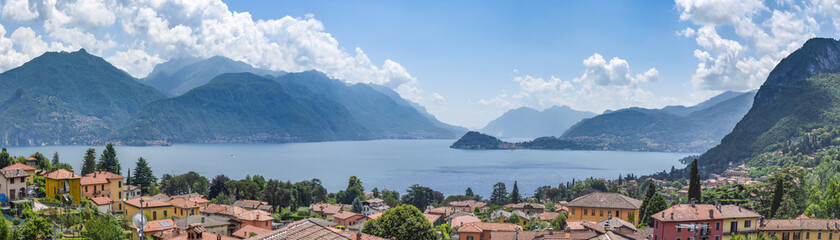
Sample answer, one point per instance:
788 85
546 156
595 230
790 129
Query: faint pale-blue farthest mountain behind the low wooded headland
529 123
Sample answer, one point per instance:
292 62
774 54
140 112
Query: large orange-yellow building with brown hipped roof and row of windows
598 206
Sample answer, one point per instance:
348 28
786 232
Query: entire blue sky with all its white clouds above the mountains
466 61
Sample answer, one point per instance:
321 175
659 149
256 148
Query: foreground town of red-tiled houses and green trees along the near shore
44 198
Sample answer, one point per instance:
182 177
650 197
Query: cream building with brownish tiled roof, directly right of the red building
739 221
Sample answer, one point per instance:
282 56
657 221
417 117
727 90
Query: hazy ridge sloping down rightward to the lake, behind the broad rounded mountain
377 112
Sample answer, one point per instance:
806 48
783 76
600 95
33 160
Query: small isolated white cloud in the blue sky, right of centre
603 85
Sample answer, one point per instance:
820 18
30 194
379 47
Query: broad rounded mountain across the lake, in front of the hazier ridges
243 107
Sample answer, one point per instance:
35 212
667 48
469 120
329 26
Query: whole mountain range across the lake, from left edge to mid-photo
78 98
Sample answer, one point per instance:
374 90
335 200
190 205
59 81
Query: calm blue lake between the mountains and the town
386 164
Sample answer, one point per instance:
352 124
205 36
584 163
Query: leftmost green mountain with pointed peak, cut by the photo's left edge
67 98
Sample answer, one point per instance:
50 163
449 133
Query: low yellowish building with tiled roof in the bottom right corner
802 228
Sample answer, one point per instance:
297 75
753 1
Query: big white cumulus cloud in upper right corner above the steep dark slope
763 36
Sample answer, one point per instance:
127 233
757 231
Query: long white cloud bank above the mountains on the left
136 35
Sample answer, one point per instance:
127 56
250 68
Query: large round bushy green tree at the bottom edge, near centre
404 222
